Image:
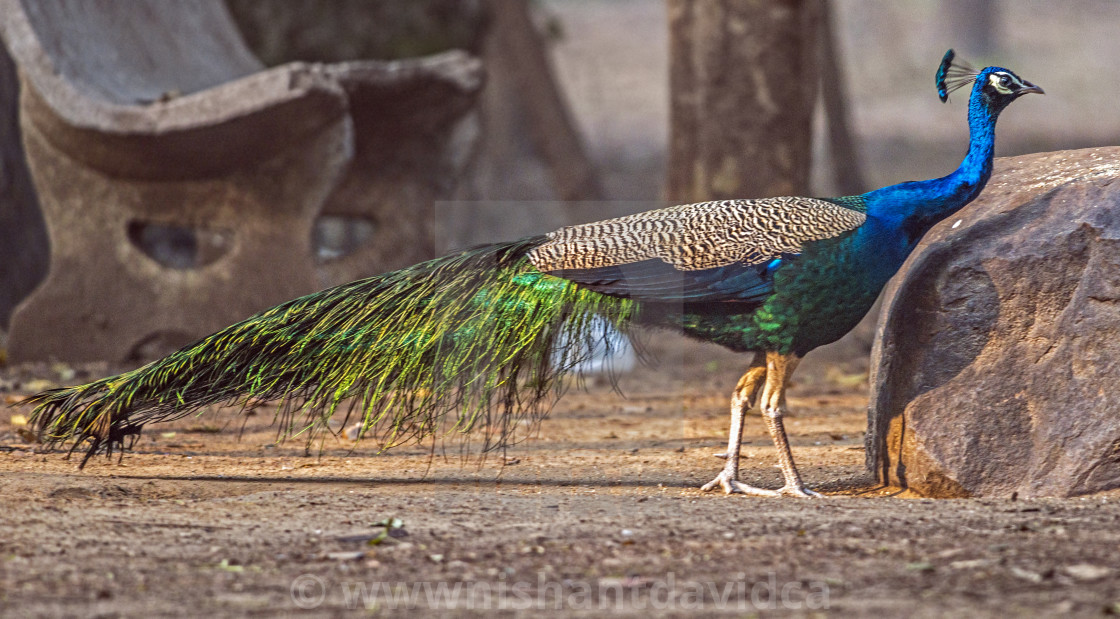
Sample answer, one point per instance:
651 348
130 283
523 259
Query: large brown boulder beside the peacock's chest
997 365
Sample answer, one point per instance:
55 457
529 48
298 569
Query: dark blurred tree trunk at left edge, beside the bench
24 245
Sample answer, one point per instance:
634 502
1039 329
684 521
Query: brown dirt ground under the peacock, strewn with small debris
599 514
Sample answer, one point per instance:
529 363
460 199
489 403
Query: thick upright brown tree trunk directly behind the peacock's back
743 86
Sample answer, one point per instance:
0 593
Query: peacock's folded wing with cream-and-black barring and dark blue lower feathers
715 251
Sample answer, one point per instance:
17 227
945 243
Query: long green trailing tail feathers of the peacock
470 335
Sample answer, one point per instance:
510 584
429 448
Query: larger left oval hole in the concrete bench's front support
180 247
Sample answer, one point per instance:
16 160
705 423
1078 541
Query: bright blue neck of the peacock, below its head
917 207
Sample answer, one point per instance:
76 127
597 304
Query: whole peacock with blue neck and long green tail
469 341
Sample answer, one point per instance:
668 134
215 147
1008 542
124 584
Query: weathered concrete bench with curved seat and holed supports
181 181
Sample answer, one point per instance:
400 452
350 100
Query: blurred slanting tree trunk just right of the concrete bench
531 148
